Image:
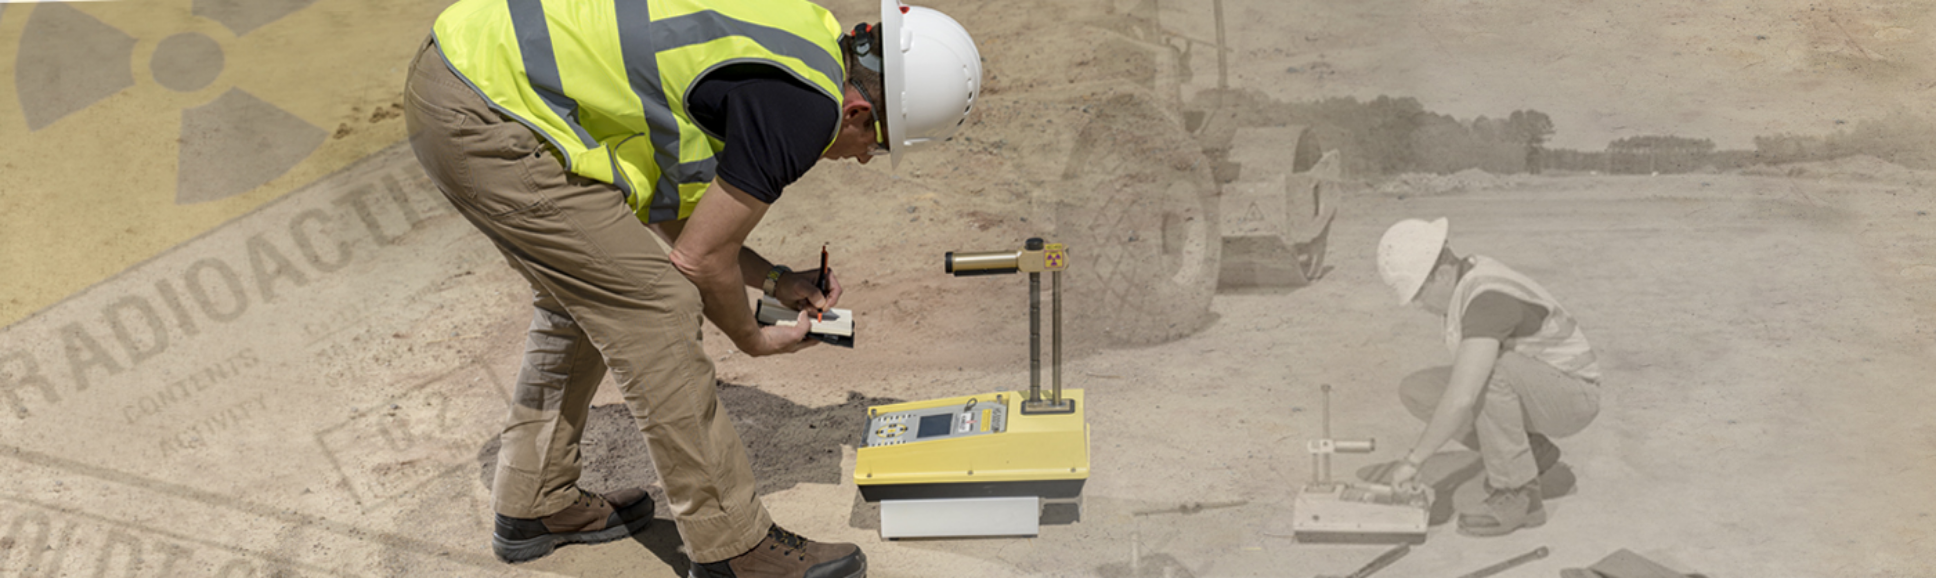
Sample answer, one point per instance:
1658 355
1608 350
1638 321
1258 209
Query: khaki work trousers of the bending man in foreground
605 297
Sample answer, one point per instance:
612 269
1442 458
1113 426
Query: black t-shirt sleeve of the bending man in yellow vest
775 127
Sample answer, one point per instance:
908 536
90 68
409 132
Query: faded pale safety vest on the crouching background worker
1559 341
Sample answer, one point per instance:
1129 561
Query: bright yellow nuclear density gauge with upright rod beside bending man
981 465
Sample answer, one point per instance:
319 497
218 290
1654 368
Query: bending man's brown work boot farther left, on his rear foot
591 519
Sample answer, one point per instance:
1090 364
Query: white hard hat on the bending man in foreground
932 76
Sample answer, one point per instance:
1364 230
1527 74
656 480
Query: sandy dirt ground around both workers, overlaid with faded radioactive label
299 372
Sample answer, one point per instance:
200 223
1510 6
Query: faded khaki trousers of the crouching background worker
1521 397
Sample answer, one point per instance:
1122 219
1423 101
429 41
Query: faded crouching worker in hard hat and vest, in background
1523 372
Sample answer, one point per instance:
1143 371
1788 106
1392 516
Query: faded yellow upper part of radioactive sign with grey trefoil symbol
135 127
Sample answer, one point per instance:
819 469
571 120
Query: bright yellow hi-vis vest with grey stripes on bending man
607 80
